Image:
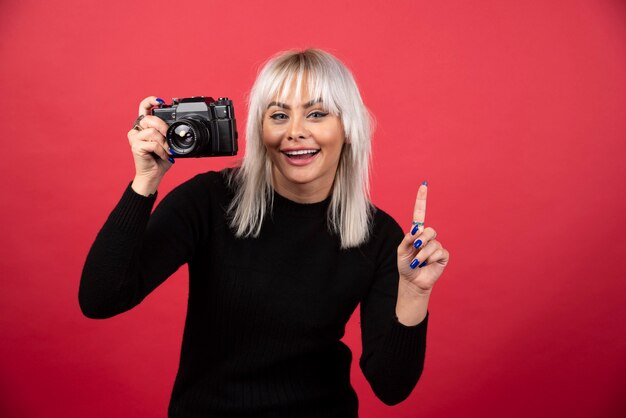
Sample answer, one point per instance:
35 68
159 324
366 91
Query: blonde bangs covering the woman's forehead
301 75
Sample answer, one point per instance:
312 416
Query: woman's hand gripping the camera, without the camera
147 144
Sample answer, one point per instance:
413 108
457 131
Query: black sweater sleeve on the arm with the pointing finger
393 354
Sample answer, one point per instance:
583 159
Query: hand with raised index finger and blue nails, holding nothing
421 258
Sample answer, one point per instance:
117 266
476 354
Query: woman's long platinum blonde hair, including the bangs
326 78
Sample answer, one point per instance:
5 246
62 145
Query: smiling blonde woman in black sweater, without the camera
280 253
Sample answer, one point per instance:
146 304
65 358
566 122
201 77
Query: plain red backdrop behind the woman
513 111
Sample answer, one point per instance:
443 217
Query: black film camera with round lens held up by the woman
200 126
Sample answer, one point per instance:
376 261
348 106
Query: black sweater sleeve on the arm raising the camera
135 251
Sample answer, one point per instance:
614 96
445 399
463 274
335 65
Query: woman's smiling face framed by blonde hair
304 142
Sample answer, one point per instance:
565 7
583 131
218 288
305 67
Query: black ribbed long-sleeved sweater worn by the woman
265 315
